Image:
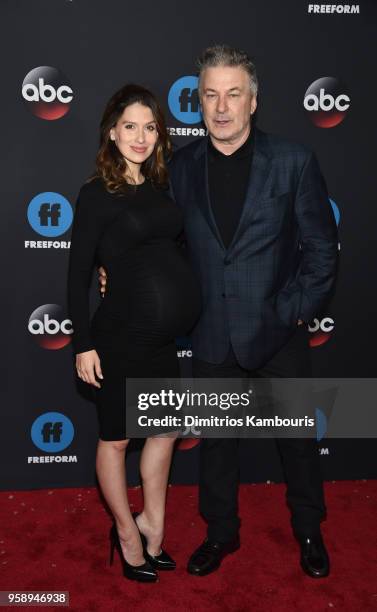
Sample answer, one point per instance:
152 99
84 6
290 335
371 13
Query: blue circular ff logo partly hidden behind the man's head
183 100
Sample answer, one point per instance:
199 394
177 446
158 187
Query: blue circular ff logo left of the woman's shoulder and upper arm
50 214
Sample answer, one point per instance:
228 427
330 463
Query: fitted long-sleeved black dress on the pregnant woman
151 296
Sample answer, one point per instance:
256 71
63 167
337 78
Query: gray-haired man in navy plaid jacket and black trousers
262 239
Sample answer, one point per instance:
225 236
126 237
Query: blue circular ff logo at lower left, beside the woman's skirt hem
52 432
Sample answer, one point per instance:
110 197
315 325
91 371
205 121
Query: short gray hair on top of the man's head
224 55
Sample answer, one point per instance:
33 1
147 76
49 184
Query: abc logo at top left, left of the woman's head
47 93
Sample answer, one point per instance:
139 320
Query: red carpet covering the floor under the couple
58 540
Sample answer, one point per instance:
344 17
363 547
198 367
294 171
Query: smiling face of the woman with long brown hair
135 133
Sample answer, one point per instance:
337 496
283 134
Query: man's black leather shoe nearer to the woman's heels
207 558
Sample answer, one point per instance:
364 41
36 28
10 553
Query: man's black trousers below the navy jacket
219 461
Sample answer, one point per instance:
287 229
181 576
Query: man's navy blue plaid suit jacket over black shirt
281 264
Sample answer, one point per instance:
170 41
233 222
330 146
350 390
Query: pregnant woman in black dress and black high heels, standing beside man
126 221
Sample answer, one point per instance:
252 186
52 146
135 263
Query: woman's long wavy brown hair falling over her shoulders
110 163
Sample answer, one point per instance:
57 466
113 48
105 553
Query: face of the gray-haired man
227 102
